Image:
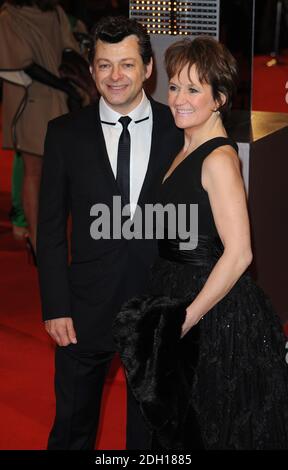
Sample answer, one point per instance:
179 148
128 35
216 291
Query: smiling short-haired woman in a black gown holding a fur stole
224 385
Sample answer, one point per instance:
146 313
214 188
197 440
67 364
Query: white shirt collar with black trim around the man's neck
142 111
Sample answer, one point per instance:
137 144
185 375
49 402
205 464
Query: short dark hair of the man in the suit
113 29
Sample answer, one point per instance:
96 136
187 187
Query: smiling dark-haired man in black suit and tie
86 163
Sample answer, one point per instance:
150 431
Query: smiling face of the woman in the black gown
190 101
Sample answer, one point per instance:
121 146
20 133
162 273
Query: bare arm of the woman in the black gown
221 178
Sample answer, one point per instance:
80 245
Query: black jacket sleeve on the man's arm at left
52 243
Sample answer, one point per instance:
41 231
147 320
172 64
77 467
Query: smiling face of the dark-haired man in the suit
119 73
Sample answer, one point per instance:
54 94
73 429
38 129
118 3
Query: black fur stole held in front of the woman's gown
160 367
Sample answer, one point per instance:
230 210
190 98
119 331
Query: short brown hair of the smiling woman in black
215 66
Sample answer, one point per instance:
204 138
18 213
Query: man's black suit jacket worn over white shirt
102 273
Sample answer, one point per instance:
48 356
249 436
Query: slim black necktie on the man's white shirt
123 161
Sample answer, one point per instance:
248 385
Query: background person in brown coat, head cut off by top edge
33 34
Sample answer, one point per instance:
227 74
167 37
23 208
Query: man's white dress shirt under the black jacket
140 137
